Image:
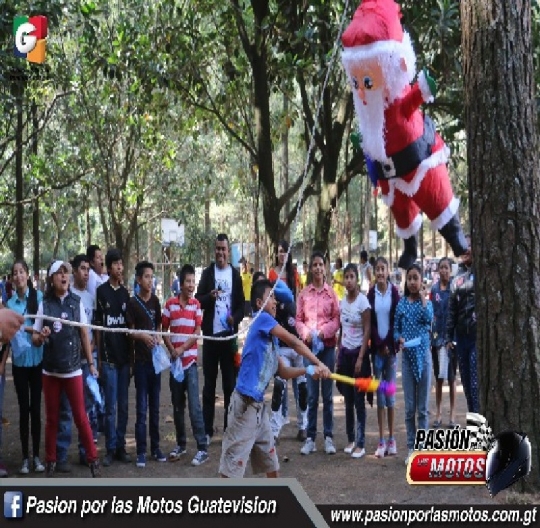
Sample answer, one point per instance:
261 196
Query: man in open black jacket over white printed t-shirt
222 300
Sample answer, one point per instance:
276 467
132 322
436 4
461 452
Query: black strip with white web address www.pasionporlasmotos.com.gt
480 516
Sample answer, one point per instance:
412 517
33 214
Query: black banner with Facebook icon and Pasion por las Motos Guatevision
66 503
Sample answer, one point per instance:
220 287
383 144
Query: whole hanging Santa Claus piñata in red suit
405 156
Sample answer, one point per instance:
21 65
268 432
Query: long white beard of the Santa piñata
371 123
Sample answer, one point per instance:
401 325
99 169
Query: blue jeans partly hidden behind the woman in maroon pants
63 438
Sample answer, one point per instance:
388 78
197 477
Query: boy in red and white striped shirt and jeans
183 315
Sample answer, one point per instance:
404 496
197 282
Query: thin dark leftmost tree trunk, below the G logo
19 176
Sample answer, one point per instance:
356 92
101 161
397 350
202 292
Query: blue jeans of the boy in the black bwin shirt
115 382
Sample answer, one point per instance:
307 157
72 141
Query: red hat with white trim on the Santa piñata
376 31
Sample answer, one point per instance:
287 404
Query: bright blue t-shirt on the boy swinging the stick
259 358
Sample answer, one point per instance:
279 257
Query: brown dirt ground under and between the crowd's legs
327 479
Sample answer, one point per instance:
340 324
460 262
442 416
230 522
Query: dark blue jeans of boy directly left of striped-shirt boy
147 389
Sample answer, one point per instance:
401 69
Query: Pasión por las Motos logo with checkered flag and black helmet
473 455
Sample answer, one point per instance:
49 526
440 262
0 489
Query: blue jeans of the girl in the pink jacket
328 357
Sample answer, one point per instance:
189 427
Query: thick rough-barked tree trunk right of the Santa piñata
504 201
